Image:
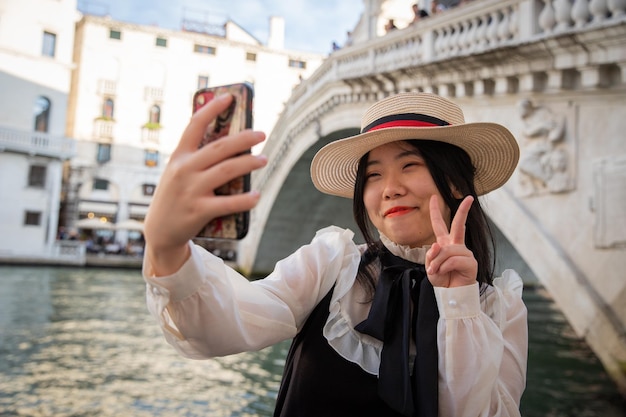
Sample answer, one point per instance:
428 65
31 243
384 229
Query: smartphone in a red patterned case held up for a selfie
237 117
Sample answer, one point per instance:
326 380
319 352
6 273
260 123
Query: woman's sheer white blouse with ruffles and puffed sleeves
207 309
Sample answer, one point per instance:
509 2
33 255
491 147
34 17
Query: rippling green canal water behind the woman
79 342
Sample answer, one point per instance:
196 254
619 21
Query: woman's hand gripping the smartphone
184 199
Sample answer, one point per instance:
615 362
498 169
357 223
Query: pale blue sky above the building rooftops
310 25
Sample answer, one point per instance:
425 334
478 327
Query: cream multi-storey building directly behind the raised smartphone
131 97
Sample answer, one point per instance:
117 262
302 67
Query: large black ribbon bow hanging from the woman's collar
390 320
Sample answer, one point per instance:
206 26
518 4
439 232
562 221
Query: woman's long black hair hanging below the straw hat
451 169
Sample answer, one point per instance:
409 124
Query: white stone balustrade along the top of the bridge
472 29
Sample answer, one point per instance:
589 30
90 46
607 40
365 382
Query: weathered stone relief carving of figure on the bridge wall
543 164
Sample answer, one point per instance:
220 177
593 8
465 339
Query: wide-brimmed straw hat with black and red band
422 116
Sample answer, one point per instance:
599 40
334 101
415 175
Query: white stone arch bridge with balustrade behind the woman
554 73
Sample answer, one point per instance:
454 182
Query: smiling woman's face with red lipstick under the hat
397 192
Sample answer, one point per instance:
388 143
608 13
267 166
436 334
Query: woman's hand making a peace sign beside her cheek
449 263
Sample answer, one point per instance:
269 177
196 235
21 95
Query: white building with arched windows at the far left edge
36 42
